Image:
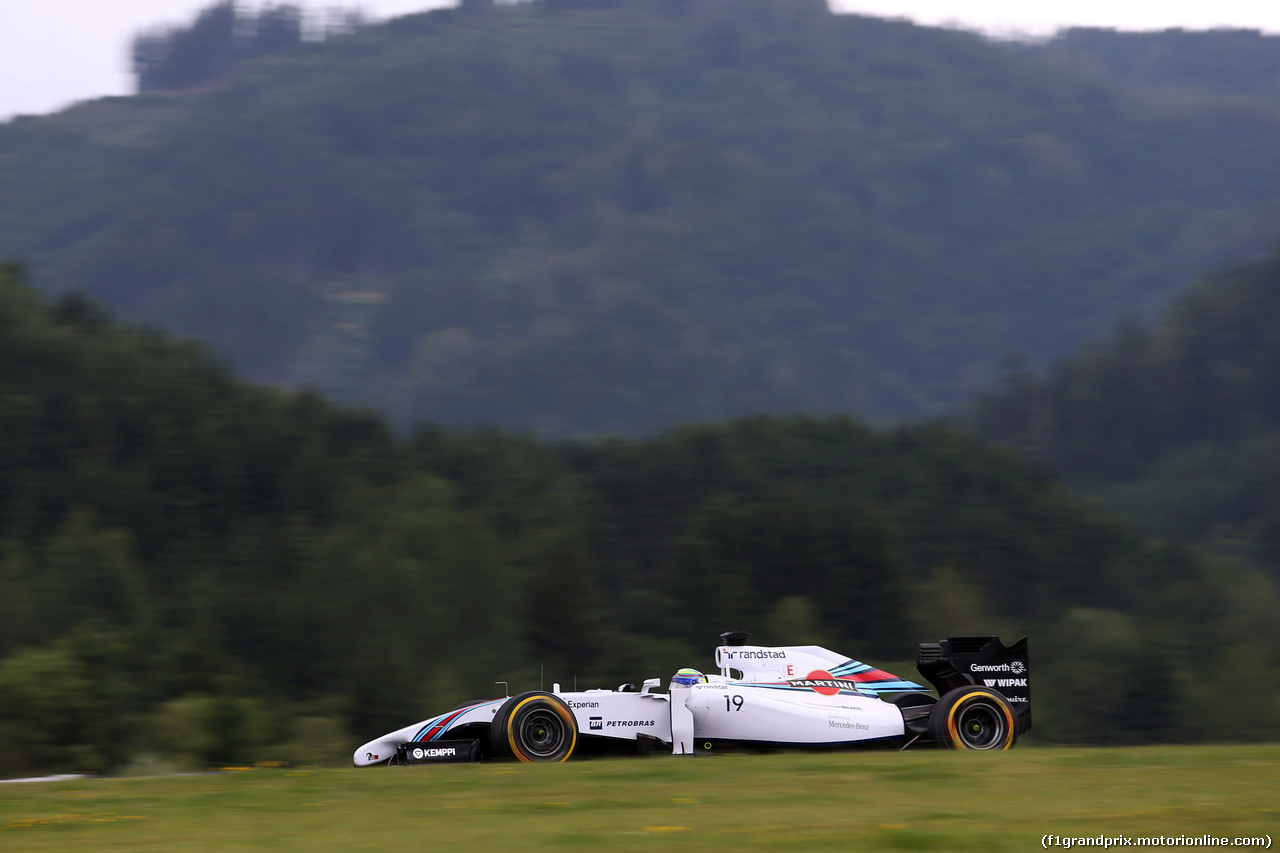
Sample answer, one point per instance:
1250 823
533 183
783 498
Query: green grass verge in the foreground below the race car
881 801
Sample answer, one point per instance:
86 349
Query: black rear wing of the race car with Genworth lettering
985 662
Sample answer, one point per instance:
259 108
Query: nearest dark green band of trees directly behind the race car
198 572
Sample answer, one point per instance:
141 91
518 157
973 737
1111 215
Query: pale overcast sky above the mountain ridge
54 53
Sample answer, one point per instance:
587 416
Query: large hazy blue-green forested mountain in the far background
579 218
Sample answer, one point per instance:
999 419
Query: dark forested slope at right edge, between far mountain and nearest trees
1176 423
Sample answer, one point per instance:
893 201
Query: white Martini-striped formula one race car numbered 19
794 697
